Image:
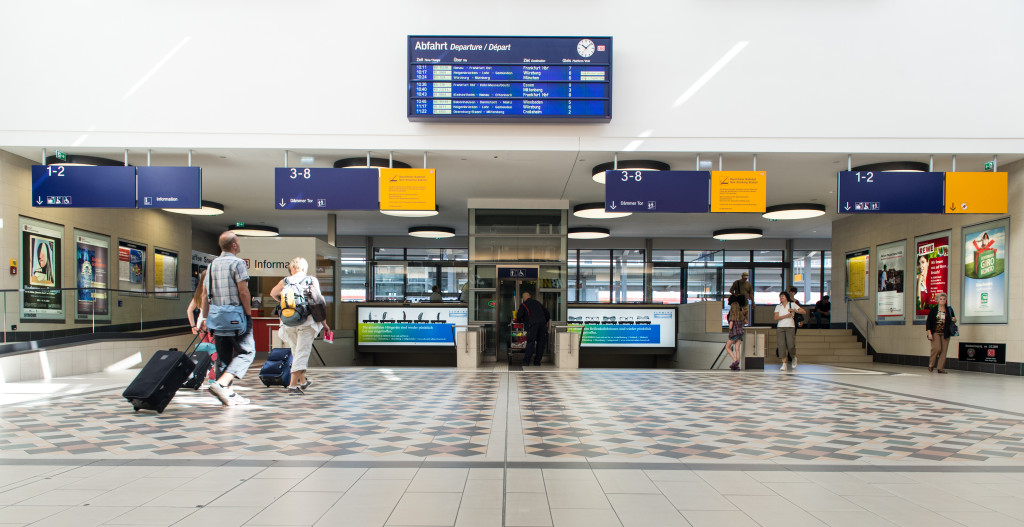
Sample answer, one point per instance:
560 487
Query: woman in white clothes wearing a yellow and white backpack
301 338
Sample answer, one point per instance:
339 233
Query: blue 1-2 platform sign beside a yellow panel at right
891 193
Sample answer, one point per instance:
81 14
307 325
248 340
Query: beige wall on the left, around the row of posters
153 228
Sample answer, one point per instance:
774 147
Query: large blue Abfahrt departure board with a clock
509 79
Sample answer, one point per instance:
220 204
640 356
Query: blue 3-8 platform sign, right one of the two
668 191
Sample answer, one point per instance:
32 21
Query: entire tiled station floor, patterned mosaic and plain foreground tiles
887 446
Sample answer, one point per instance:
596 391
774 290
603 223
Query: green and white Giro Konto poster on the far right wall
986 271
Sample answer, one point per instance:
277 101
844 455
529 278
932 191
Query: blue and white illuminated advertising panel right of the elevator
626 328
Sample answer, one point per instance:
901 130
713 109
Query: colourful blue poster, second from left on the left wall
93 271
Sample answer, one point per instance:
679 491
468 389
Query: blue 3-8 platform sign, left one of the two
326 190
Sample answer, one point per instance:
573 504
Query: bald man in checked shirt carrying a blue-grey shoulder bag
228 284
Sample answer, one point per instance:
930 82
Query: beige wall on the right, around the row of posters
870 231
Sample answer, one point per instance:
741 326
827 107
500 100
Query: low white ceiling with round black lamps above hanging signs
243 182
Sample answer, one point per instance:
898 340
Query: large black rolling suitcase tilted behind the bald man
159 381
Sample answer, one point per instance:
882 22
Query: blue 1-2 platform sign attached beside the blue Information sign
77 187
